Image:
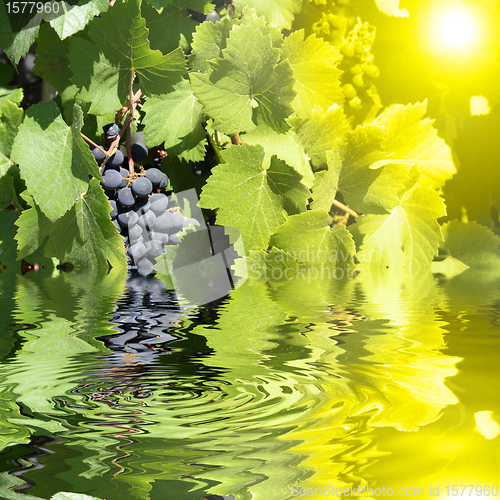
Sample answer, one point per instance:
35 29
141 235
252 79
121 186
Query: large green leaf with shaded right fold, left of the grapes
53 158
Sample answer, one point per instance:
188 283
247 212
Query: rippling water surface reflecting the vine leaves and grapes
282 390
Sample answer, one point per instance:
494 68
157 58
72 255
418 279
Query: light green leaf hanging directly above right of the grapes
175 119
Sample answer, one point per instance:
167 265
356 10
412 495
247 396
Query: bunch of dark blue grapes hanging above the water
141 210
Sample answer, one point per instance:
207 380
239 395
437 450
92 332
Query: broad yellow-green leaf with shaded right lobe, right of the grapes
251 196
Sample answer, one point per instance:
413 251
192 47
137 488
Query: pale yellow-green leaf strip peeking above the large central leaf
283 146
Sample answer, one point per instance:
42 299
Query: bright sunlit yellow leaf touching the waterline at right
406 239
